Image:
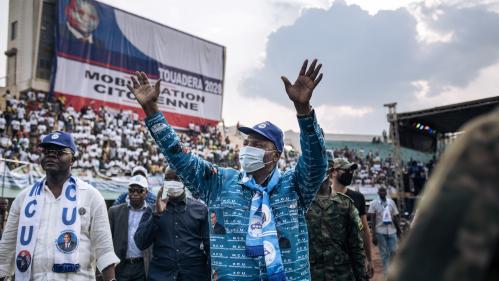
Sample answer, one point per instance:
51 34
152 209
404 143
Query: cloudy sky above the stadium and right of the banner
419 54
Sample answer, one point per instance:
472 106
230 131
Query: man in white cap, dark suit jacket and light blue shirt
124 220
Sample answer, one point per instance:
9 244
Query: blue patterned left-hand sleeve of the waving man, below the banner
198 175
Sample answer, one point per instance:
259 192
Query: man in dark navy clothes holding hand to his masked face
178 230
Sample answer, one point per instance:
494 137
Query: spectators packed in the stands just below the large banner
110 143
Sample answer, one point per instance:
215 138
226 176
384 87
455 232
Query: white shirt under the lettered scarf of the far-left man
96 245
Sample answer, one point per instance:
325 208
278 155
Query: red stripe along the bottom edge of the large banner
174 119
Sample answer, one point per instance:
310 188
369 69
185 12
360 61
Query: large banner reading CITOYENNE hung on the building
98 47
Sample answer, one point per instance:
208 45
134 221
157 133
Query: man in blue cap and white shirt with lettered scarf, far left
57 206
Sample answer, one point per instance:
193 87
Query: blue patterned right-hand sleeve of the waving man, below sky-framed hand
311 168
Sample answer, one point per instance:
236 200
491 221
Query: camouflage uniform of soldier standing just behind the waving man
336 247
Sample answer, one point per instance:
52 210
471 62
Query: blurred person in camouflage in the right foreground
456 234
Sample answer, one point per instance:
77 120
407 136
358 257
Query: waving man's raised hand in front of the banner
145 94
